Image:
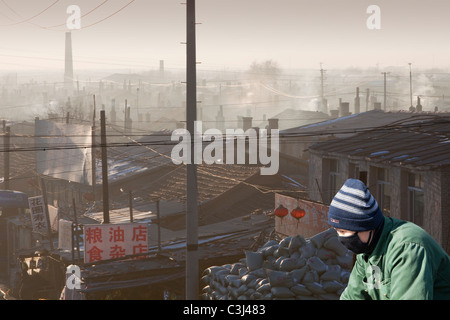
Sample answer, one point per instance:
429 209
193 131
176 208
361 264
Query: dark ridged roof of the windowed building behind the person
416 144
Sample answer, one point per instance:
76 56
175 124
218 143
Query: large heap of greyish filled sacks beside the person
317 268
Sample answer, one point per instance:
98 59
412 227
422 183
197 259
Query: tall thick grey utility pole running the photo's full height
192 275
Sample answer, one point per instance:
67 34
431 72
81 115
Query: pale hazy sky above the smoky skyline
232 33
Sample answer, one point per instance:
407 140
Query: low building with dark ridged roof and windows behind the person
406 167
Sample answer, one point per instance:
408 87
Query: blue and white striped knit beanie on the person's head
354 208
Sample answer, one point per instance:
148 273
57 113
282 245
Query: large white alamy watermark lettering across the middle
260 147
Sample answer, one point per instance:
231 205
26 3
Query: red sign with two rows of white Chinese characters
110 241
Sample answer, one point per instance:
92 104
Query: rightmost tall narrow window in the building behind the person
415 198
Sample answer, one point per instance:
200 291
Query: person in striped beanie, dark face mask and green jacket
395 259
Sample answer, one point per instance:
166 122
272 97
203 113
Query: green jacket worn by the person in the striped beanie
407 263
